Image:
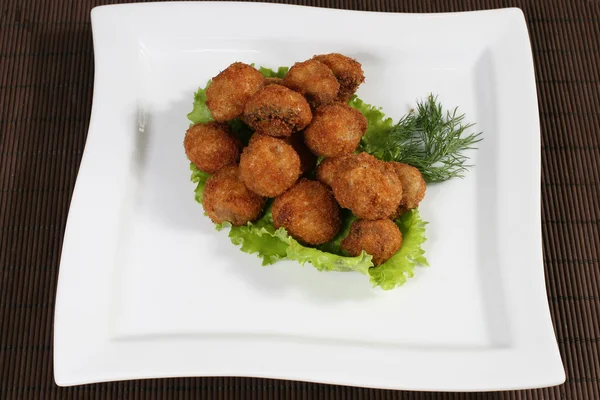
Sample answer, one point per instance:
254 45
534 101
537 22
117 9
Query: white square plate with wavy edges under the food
149 289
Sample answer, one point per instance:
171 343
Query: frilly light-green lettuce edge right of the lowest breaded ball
395 271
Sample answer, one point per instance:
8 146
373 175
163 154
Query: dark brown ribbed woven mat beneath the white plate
46 77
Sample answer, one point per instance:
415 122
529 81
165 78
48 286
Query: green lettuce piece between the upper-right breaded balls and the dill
378 127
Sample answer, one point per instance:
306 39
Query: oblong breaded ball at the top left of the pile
230 90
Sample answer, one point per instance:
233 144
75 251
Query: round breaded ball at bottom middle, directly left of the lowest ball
308 212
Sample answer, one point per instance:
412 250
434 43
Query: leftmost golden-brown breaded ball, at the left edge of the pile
211 146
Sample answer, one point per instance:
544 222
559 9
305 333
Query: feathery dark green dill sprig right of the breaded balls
431 140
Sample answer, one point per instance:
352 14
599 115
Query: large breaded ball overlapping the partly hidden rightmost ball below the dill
370 188
